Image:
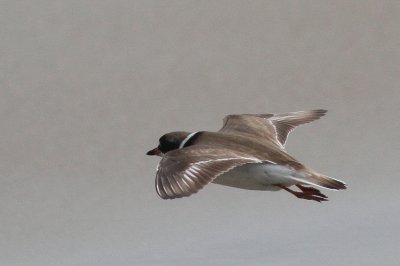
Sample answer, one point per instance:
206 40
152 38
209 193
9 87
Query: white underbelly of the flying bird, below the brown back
264 176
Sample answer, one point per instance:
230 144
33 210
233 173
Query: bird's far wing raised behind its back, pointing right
275 127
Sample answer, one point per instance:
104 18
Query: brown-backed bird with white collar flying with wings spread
248 152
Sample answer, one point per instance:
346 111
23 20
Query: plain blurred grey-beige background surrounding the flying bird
87 87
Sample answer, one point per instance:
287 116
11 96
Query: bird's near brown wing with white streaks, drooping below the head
183 172
